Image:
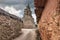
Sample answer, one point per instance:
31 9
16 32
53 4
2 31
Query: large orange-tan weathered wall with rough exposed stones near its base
49 25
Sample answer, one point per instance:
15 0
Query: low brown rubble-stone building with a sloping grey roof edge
10 25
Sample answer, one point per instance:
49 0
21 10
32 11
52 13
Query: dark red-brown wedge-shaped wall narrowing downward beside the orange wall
39 5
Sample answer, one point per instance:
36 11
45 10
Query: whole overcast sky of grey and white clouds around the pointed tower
17 7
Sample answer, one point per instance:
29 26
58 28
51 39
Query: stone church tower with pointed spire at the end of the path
28 20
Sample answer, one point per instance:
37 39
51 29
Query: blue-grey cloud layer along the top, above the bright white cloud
18 4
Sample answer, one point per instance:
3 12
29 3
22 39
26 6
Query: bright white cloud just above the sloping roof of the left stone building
12 10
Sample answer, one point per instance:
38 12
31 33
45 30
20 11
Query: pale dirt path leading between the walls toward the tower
28 34
